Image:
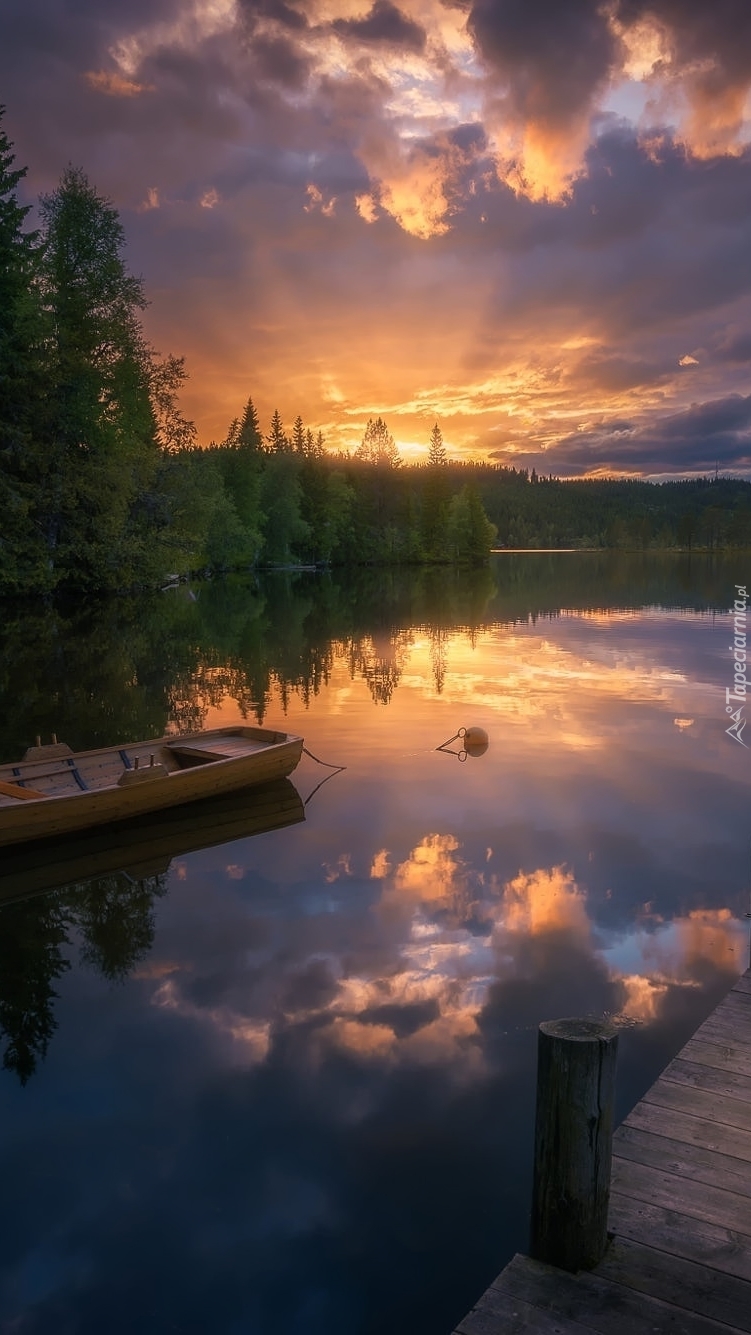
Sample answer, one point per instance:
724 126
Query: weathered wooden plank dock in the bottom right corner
680 1257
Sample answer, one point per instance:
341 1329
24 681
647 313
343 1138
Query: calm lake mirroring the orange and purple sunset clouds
285 1085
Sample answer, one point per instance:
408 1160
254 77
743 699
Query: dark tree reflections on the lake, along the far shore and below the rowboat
117 671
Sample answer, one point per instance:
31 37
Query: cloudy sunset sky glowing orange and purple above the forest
529 221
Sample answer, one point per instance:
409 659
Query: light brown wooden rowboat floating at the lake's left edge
54 791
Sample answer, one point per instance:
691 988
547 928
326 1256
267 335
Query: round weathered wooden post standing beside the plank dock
573 1142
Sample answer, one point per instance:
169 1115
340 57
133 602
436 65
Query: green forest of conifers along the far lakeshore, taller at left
103 487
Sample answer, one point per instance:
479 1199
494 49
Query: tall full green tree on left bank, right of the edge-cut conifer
106 451
